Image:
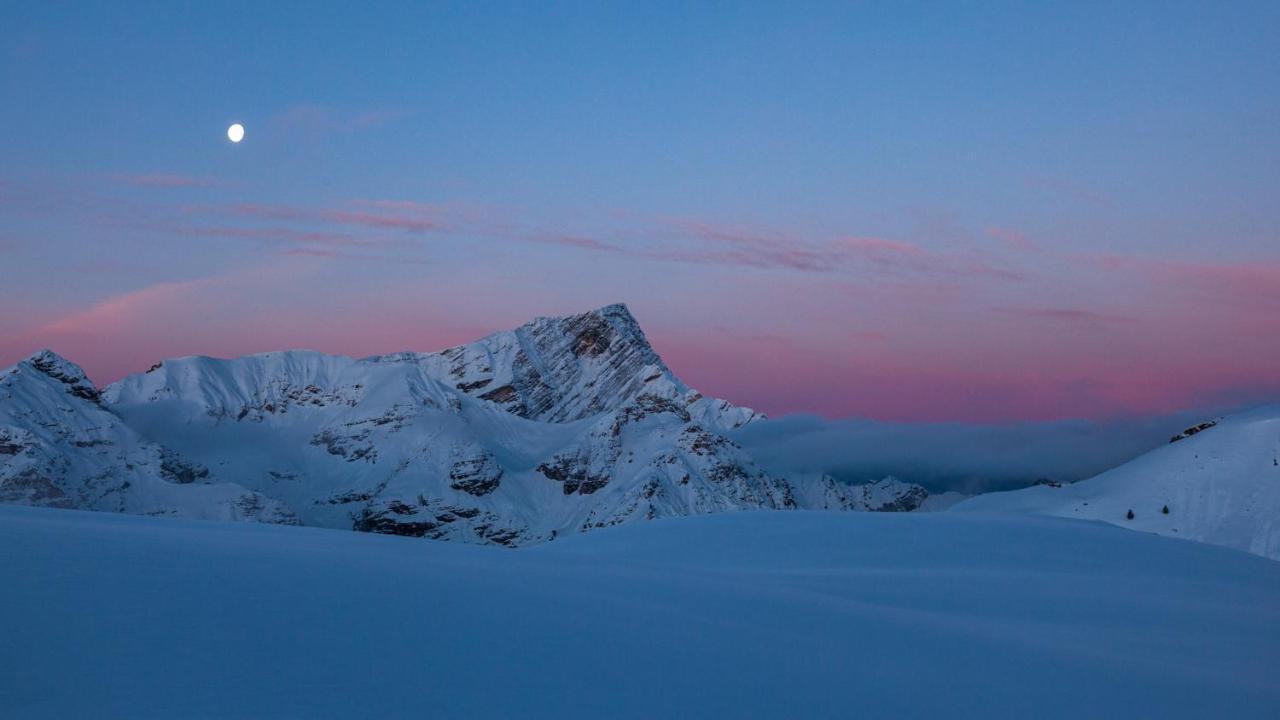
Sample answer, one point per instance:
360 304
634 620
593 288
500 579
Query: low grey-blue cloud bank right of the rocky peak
953 457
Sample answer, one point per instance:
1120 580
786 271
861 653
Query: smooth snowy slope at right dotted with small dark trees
1219 482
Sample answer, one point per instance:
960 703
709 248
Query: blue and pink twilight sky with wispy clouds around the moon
935 199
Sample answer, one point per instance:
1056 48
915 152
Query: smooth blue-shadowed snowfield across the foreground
747 614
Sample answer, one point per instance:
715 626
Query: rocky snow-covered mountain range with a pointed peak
564 425
